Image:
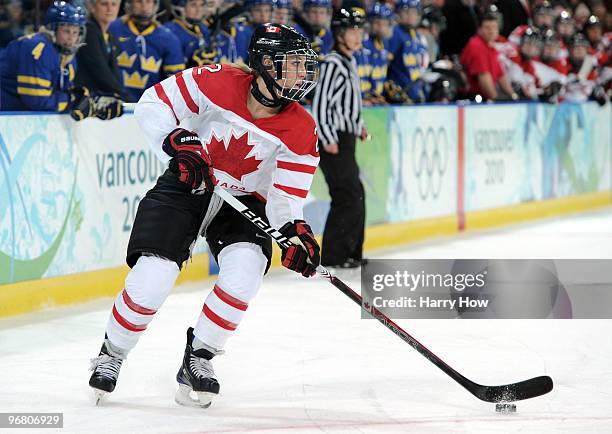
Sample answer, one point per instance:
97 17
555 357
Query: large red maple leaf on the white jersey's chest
232 160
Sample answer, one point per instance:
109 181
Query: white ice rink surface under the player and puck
303 360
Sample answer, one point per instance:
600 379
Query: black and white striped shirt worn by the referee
336 105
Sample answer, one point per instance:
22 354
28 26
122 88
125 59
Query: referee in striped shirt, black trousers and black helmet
337 110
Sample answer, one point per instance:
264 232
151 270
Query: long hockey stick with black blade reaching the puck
506 393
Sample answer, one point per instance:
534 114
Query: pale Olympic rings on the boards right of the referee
430 151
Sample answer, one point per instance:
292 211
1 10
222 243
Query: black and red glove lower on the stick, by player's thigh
303 256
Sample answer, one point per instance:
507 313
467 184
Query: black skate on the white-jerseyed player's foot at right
196 377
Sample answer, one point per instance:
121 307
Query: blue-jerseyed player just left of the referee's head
317 14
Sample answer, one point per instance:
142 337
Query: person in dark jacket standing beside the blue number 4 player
96 61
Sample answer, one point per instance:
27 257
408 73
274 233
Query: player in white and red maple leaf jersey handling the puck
249 136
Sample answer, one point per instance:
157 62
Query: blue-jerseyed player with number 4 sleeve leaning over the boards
37 71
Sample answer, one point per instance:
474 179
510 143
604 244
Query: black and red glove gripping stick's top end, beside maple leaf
190 161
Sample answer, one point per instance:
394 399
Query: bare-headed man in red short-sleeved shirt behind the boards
482 63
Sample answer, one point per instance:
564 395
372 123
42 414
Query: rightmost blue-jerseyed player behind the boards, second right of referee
409 50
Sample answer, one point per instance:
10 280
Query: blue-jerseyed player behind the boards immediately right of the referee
372 60
